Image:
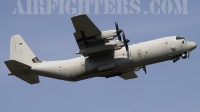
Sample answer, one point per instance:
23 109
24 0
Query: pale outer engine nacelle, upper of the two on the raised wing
108 35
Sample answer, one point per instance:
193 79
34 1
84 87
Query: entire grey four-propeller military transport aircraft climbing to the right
101 55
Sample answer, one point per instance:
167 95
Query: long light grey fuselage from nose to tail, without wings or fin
117 62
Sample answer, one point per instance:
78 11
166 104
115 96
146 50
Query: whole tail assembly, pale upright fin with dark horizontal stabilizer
21 60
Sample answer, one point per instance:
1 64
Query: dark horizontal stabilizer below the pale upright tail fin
22 71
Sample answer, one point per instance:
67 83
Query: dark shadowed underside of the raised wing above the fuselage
85 33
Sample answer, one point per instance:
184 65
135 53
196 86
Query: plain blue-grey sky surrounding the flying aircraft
167 87
